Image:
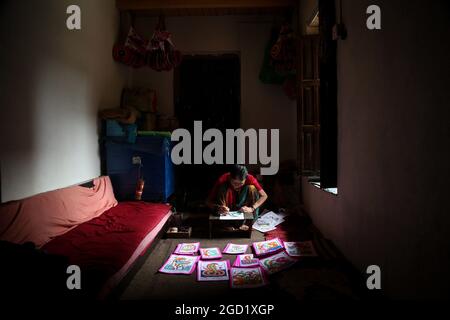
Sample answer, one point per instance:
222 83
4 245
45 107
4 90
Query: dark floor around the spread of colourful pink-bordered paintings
310 279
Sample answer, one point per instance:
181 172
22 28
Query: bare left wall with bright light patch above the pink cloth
53 82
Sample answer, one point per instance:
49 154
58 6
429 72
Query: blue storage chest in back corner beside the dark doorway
157 168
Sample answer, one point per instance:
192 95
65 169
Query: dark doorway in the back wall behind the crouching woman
207 89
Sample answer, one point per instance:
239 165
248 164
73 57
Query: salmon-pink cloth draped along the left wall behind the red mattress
42 217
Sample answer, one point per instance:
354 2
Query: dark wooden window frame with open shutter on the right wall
318 158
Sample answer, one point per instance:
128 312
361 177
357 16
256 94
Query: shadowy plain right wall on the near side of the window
393 148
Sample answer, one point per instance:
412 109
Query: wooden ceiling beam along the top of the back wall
136 5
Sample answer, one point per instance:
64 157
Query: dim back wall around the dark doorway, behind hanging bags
262 105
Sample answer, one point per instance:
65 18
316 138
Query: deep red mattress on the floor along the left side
105 247
